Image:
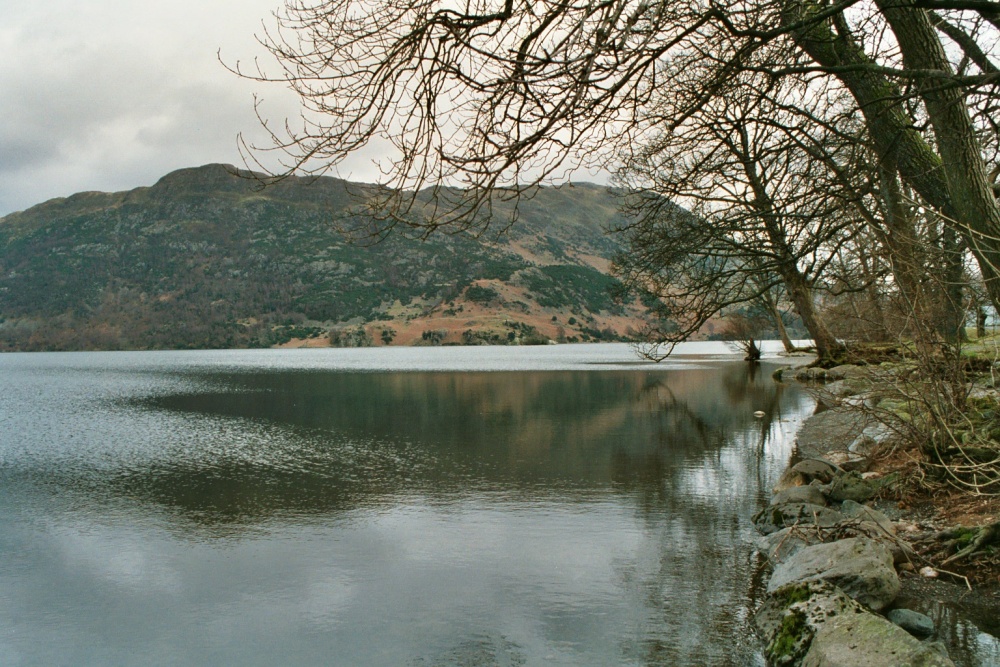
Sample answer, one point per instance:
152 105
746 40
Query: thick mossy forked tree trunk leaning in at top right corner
955 181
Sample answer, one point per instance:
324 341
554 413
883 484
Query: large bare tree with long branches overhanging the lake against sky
498 96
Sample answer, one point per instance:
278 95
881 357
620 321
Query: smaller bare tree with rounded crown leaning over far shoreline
764 213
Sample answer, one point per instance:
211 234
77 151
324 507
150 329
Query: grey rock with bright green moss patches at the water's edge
790 617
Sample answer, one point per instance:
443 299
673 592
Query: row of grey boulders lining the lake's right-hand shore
835 559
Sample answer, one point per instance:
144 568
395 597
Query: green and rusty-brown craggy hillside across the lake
206 259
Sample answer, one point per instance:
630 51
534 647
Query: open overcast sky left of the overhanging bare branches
112 94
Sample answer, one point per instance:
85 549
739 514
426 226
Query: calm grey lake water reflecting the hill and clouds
561 505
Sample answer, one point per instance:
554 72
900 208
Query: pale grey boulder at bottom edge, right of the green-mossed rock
851 640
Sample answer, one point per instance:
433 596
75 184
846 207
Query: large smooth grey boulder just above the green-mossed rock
859 566
